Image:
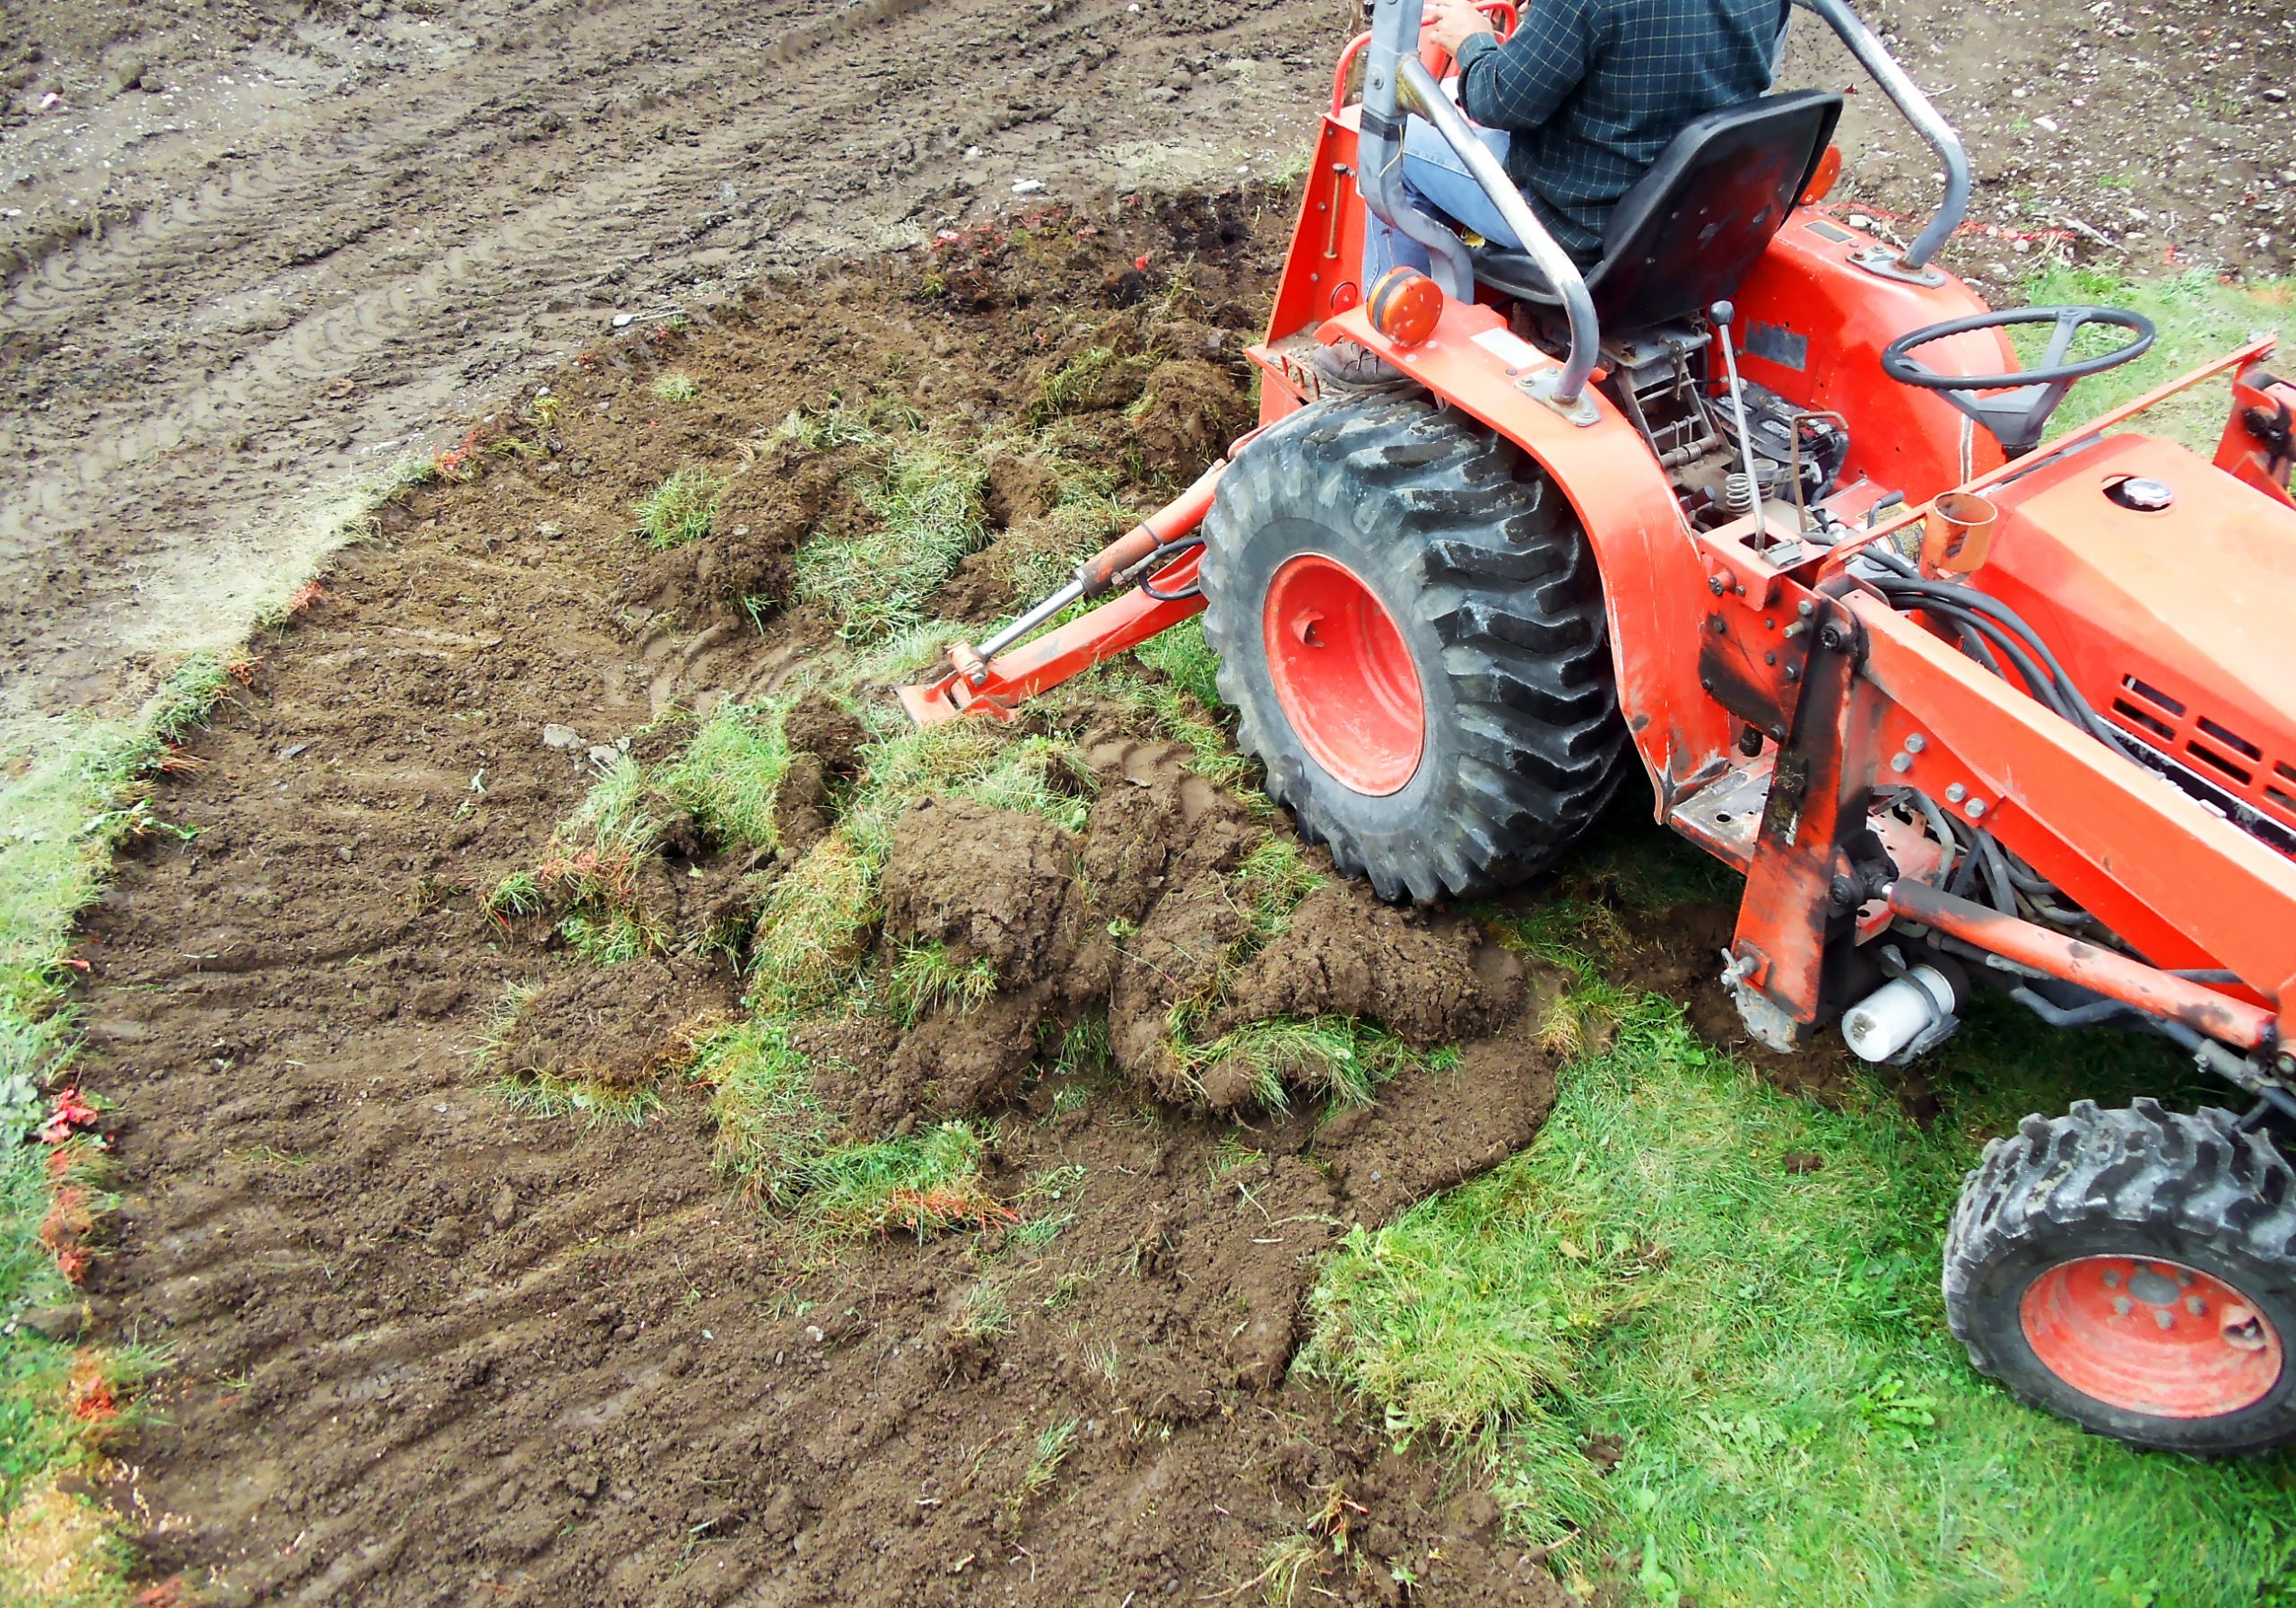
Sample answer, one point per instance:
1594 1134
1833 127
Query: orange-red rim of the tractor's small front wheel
2152 1336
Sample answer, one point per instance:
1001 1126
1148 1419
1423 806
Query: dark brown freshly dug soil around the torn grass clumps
433 1352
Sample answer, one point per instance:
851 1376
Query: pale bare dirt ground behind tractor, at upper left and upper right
254 249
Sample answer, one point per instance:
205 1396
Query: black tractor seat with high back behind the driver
1698 222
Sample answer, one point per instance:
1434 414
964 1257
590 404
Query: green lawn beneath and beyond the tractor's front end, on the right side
1762 1343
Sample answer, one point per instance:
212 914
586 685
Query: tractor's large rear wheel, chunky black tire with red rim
1411 628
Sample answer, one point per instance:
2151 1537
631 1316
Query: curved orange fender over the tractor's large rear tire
1654 578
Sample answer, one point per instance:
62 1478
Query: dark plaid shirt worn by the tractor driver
1592 93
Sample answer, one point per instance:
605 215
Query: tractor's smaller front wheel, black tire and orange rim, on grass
2134 1271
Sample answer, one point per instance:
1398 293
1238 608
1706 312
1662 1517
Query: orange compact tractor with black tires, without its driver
1767 507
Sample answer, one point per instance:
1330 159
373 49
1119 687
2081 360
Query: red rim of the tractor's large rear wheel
1344 677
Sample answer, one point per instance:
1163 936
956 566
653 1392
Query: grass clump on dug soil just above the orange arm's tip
929 516
